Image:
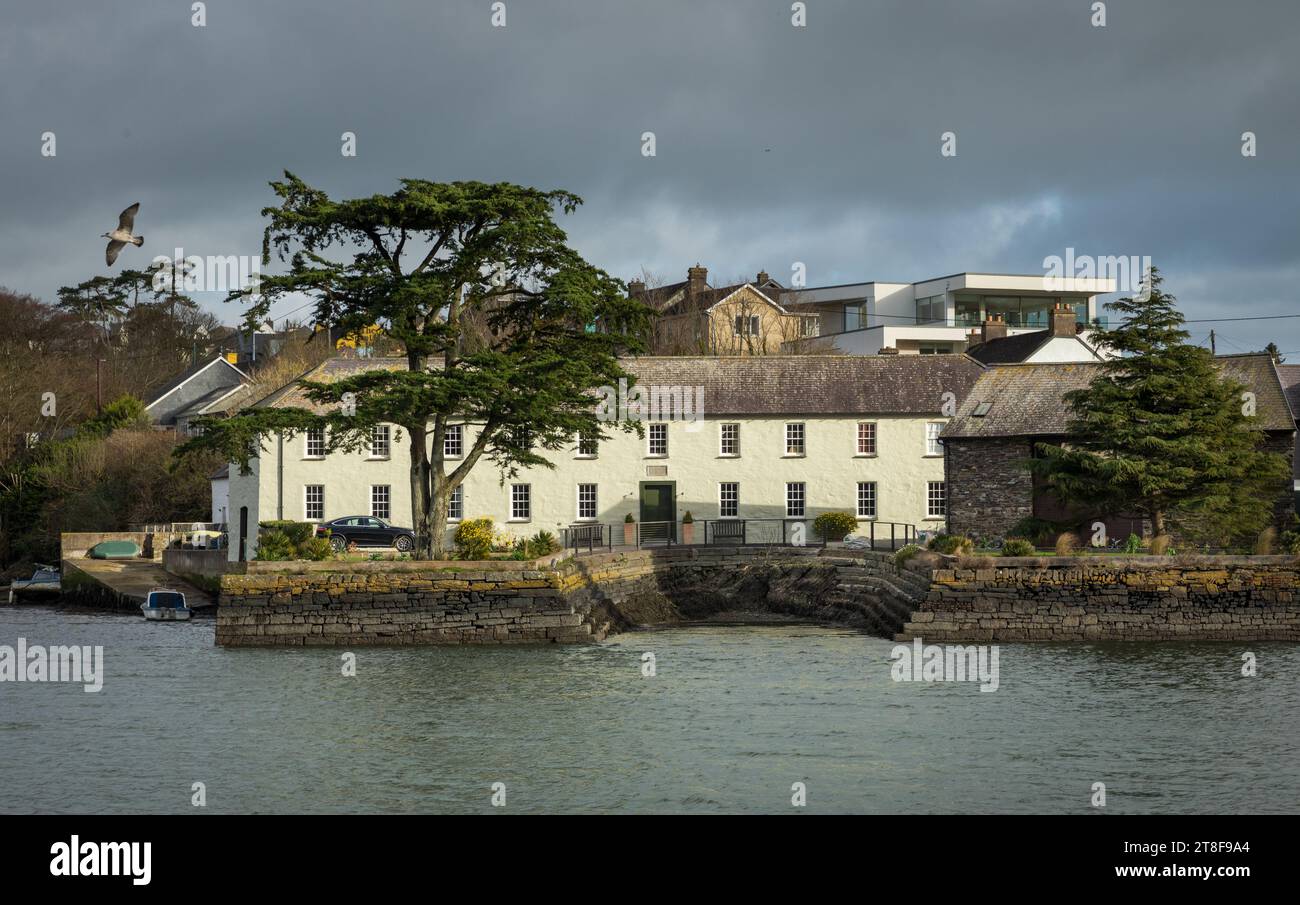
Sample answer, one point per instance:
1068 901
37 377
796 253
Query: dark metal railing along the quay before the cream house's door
720 532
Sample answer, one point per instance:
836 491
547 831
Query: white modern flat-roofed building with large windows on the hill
937 317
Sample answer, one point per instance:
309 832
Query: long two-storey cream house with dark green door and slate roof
760 438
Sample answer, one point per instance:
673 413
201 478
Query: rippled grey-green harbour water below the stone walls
733 720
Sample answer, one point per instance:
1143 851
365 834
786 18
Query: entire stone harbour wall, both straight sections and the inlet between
937 599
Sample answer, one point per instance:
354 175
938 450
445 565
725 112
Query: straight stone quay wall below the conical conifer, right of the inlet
1139 599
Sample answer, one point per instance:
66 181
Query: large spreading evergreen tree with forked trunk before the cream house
492 306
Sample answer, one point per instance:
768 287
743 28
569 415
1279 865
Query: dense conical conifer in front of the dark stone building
1160 432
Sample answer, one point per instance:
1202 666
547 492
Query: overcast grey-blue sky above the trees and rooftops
774 145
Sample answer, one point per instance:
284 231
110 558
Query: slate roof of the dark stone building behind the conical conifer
1028 400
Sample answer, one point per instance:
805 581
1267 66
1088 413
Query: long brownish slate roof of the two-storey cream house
759 384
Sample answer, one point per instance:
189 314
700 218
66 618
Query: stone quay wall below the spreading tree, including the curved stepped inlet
557 600
